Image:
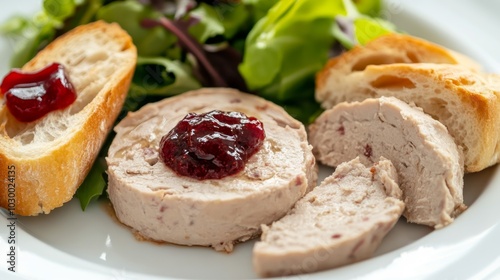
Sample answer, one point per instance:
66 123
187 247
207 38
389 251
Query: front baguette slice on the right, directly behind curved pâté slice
466 102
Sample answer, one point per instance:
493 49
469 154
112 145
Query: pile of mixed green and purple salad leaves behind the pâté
272 48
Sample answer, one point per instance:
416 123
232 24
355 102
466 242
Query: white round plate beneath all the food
71 244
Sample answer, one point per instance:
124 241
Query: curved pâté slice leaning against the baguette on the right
429 163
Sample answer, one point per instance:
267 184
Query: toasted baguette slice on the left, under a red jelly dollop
52 155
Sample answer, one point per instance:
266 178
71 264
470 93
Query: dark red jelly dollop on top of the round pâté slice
211 145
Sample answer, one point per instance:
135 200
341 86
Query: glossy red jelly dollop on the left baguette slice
30 96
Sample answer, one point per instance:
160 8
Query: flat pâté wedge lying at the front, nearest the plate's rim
341 221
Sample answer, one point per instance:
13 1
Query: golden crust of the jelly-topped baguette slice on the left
48 176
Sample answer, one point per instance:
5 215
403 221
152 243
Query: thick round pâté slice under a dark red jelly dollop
161 205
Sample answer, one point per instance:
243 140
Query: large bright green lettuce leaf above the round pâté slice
288 46
